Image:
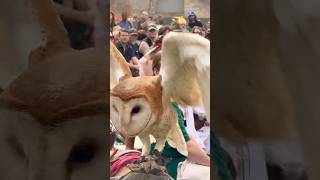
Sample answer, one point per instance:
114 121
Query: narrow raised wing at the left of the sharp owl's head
119 68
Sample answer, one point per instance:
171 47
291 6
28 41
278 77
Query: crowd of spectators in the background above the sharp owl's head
135 37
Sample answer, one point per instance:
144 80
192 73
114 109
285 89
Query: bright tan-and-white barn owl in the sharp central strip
140 106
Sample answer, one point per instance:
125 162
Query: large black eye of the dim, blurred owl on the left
82 154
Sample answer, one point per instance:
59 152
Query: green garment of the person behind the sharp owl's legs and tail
172 153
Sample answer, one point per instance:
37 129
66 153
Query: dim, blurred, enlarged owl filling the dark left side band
53 115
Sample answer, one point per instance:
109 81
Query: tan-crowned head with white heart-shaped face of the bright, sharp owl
136 104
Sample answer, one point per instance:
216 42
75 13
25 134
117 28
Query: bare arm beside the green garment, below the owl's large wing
196 154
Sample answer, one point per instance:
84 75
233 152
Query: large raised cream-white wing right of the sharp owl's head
185 70
